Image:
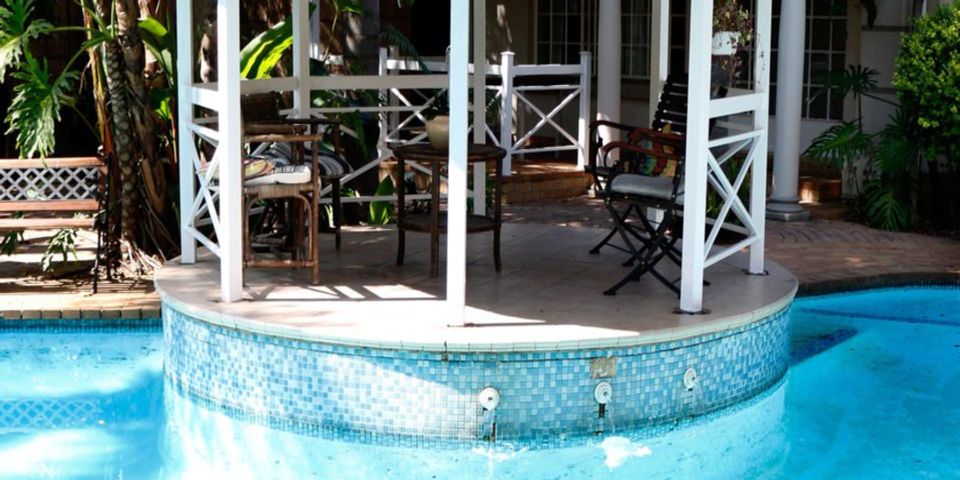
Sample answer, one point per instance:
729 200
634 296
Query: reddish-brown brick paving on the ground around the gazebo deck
819 251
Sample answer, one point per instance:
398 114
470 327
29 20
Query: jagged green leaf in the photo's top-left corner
16 31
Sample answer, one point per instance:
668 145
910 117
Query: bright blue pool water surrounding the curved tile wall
872 393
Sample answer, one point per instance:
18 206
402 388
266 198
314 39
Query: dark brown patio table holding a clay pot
435 222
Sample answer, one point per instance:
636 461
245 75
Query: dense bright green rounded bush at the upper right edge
927 78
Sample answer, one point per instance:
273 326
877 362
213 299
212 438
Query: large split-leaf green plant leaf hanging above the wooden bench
36 105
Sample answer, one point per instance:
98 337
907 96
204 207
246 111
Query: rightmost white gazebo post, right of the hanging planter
761 121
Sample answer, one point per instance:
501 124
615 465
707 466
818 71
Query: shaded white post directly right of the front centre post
479 102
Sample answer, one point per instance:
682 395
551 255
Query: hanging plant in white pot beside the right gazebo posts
732 29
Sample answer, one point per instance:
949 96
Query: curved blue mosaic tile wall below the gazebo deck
366 394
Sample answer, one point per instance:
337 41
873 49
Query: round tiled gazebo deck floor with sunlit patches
548 297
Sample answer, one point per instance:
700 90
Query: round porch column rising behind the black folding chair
608 66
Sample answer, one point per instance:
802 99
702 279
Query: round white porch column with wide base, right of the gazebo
784 202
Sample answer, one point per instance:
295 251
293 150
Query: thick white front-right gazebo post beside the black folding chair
695 185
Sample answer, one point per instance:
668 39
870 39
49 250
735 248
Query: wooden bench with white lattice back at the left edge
49 193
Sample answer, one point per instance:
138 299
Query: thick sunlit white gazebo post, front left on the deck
230 236
